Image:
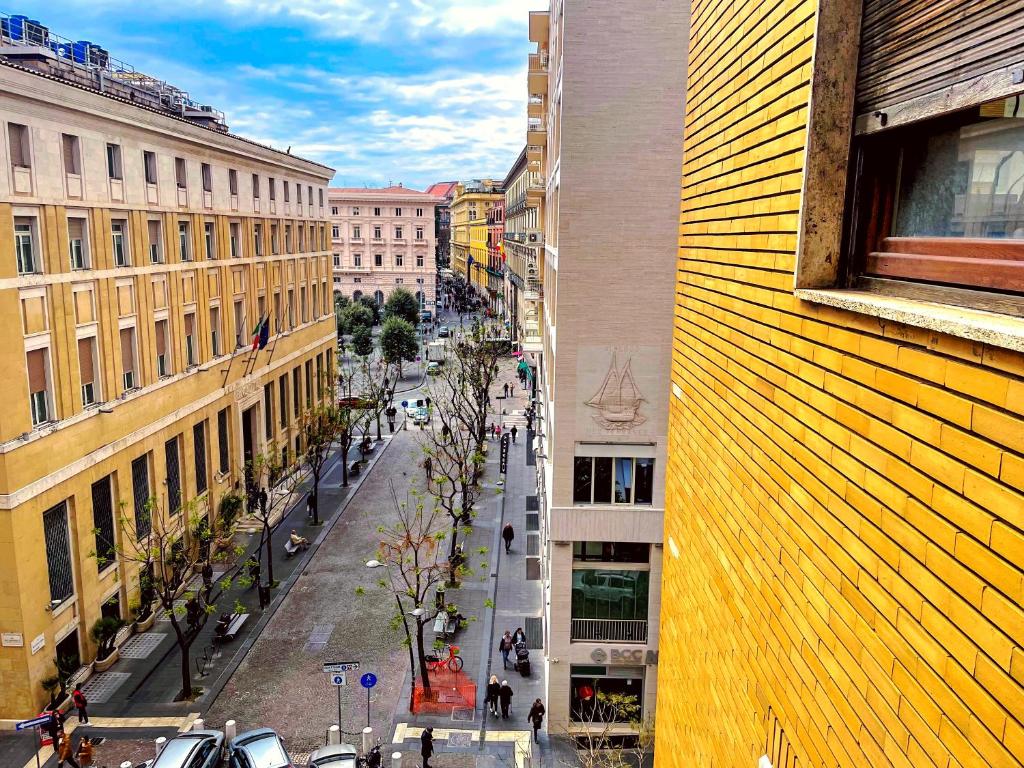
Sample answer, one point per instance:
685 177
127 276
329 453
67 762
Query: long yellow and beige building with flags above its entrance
140 247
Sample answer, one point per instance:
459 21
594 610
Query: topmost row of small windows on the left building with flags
21 147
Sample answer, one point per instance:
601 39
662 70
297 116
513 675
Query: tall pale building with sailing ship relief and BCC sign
611 162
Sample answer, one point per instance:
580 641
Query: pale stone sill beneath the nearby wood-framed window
996 329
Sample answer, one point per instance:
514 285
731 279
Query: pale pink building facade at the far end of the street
383 240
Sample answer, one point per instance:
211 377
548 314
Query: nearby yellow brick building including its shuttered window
845 501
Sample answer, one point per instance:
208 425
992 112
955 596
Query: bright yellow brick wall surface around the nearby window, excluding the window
843 581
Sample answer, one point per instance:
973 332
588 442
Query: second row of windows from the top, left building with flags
28 245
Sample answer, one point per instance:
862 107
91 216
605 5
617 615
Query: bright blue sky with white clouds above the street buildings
396 91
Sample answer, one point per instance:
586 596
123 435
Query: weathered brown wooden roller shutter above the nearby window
911 49
